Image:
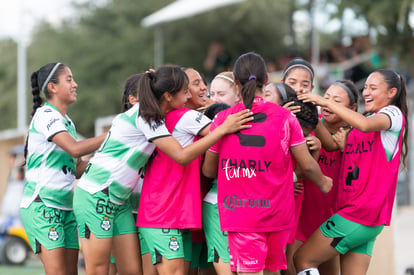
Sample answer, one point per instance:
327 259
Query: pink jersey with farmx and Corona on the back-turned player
255 176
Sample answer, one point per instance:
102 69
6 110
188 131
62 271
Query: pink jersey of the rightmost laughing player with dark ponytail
368 180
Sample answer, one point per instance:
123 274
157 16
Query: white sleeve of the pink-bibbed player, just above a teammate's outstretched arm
192 122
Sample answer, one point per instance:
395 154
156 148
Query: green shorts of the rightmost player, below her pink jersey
350 236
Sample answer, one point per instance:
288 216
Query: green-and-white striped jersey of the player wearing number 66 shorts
120 160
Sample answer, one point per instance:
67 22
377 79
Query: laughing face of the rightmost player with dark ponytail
376 93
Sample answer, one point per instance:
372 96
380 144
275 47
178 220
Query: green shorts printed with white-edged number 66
95 213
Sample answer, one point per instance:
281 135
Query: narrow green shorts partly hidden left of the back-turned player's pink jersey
217 241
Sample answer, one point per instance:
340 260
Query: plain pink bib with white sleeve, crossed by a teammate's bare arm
171 196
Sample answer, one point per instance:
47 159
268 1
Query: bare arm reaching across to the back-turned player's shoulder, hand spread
183 156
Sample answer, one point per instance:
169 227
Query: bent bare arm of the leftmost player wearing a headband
77 148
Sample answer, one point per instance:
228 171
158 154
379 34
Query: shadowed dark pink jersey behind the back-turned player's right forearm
317 207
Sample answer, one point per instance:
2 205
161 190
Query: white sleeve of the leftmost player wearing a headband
49 122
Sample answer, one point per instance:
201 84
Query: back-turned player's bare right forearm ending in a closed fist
310 167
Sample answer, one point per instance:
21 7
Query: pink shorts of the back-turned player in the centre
253 252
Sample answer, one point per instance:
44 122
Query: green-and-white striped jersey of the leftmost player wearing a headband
50 170
